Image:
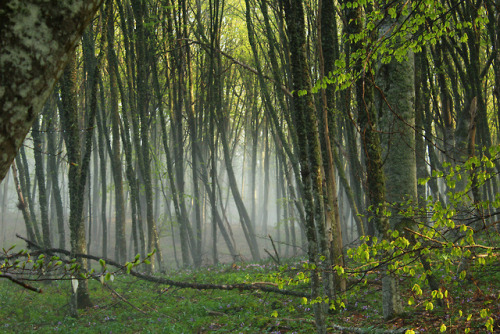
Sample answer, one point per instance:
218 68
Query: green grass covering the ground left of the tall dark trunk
164 309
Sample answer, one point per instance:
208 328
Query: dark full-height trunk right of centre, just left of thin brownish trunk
309 149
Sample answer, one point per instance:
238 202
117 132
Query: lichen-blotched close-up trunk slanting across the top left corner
36 40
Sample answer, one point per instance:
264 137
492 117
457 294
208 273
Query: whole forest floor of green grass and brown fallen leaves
131 305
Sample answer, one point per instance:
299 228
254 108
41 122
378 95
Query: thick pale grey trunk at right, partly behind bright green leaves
397 84
